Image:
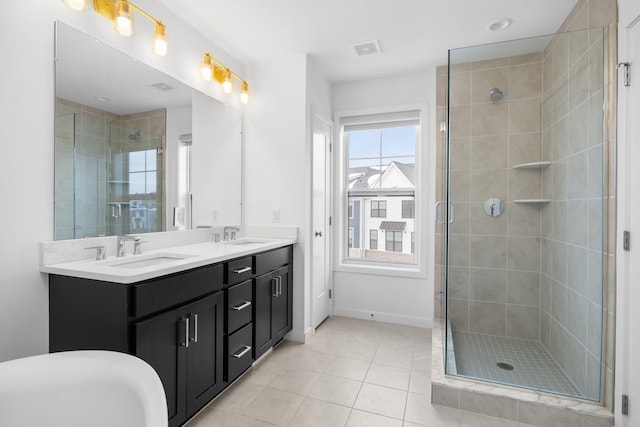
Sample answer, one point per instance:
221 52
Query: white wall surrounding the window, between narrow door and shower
388 297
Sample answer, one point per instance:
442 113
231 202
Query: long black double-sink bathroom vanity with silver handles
200 327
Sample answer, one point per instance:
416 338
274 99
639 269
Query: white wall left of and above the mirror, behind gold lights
26 165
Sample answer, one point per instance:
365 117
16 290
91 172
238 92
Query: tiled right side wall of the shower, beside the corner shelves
578 224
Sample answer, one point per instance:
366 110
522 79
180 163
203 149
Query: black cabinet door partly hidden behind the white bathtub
161 342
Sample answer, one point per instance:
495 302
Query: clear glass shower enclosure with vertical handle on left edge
524 173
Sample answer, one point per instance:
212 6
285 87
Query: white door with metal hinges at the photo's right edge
628 348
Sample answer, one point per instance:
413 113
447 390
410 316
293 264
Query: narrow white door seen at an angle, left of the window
320 255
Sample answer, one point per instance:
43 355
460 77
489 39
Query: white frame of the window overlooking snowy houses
424 235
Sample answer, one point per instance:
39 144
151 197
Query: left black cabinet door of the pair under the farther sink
264 288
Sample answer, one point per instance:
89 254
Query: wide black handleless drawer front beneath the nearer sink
168 291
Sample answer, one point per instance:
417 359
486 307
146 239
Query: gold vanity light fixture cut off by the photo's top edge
120 12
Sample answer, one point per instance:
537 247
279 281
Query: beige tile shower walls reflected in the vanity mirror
85 139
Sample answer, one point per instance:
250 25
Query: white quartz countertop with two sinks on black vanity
161 262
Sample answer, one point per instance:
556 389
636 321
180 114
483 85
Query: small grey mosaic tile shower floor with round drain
477 355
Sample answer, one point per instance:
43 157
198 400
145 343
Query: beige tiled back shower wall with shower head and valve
494 261
